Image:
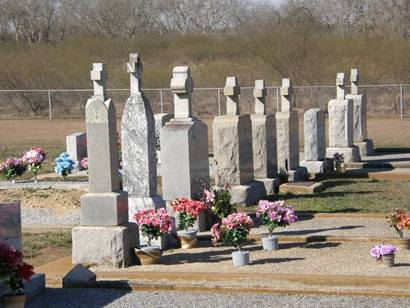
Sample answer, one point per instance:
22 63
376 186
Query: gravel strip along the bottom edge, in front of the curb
76 298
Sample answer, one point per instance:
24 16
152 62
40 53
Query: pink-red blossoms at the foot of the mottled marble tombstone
157 219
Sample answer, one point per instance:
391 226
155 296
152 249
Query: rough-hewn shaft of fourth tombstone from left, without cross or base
232 139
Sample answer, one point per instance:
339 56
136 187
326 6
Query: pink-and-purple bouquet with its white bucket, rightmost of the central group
273 215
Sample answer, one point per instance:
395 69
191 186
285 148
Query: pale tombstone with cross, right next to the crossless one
341 124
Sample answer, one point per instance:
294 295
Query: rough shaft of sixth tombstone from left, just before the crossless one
287 132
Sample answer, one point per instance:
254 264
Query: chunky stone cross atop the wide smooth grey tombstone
182 86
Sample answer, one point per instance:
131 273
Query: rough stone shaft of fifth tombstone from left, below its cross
264 146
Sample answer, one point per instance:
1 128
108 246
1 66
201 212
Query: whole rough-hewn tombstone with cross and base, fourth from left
233 149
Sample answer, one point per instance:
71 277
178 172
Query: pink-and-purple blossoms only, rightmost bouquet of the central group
277 211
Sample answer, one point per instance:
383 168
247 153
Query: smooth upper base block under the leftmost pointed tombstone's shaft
104 208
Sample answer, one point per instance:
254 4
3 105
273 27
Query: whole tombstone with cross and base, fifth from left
263 140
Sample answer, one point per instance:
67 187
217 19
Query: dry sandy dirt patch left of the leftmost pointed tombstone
61 200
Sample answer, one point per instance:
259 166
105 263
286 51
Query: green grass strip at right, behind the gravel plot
352 195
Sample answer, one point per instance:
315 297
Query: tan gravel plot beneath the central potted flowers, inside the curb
344 258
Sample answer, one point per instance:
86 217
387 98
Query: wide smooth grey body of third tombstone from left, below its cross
185 164
